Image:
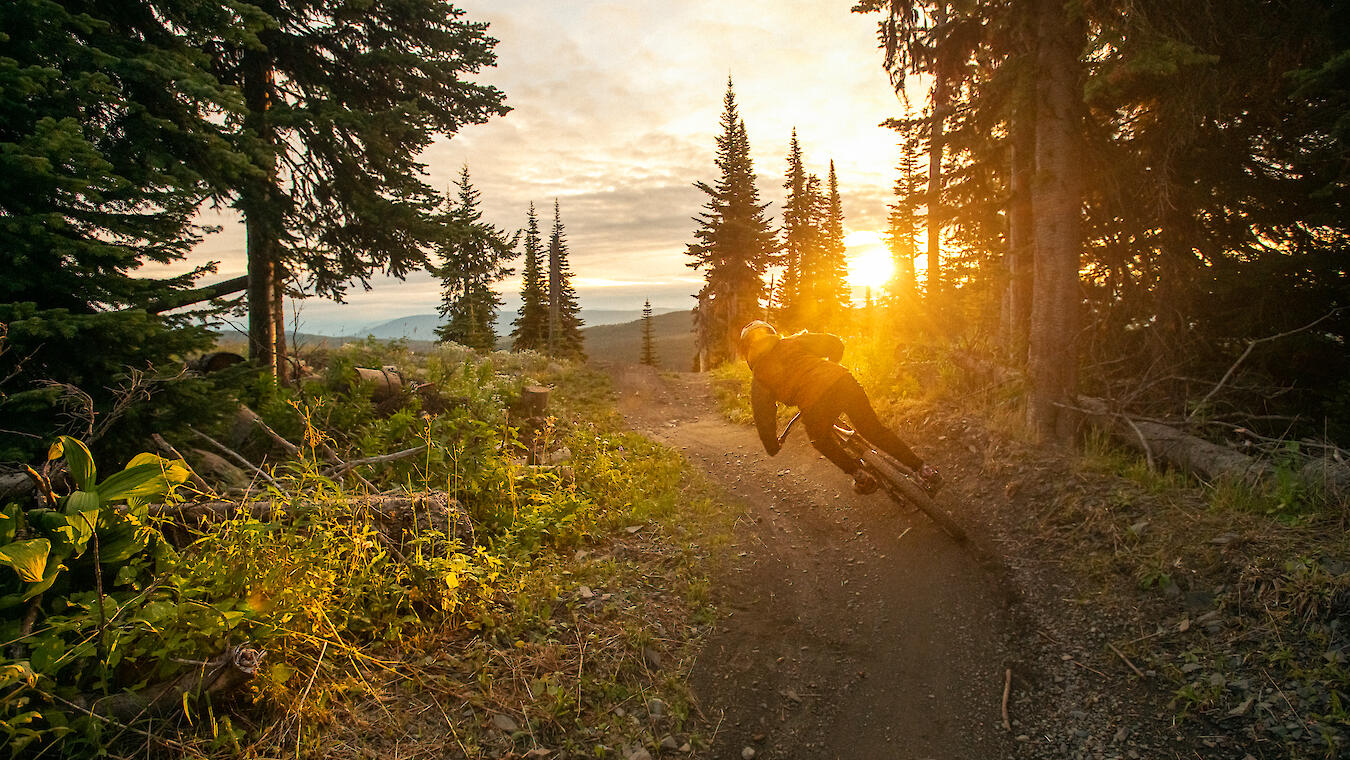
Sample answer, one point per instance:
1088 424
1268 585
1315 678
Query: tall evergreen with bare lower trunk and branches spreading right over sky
340 102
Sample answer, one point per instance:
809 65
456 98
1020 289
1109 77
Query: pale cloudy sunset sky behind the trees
616 109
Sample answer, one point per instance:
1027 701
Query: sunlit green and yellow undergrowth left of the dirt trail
564 620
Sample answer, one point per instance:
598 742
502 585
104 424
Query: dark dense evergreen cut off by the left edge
110 134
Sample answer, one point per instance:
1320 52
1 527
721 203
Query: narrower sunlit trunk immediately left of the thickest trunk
1021 229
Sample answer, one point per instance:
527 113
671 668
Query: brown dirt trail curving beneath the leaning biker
851 628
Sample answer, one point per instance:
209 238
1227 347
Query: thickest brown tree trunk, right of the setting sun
1052 357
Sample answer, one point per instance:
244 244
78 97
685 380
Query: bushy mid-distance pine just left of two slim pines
473 257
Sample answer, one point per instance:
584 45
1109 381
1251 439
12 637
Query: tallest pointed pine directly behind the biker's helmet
734 245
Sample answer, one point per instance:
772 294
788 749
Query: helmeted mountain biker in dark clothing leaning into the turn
803 371
